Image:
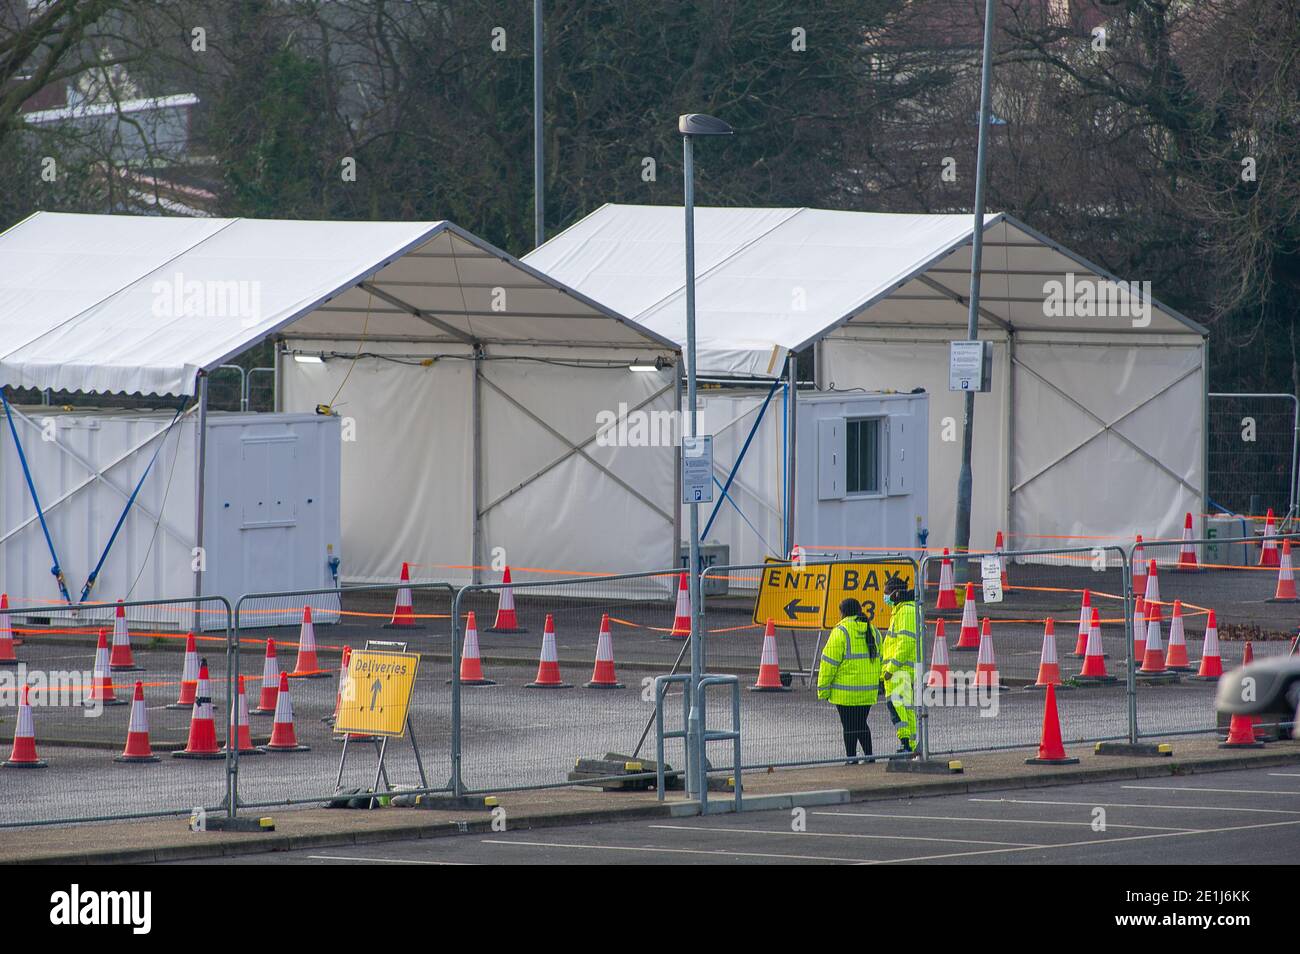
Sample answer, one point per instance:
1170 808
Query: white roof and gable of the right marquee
770 281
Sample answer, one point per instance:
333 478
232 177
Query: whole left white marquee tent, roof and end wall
470 381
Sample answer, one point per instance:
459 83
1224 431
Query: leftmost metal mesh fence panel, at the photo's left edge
83 709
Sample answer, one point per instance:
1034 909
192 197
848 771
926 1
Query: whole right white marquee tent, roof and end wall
1095 427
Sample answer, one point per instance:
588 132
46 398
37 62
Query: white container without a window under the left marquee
271 509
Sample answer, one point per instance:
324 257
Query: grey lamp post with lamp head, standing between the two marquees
692 125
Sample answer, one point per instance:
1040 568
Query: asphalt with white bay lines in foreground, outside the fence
1227 818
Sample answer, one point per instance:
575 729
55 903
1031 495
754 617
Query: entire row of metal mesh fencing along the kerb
509 736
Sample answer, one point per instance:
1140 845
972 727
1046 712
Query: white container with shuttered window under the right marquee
861 482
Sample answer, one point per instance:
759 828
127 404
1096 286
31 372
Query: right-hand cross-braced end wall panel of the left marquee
606 509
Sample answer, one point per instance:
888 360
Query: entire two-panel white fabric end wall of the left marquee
409 475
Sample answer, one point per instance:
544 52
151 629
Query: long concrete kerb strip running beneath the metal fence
378 827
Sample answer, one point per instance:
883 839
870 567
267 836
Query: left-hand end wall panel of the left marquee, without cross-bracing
406 456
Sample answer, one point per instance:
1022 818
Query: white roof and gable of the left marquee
141 305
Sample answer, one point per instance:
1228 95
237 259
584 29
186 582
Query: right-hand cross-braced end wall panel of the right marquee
1110 441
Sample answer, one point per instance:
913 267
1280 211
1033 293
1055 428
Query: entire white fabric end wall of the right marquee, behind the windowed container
1048 472
